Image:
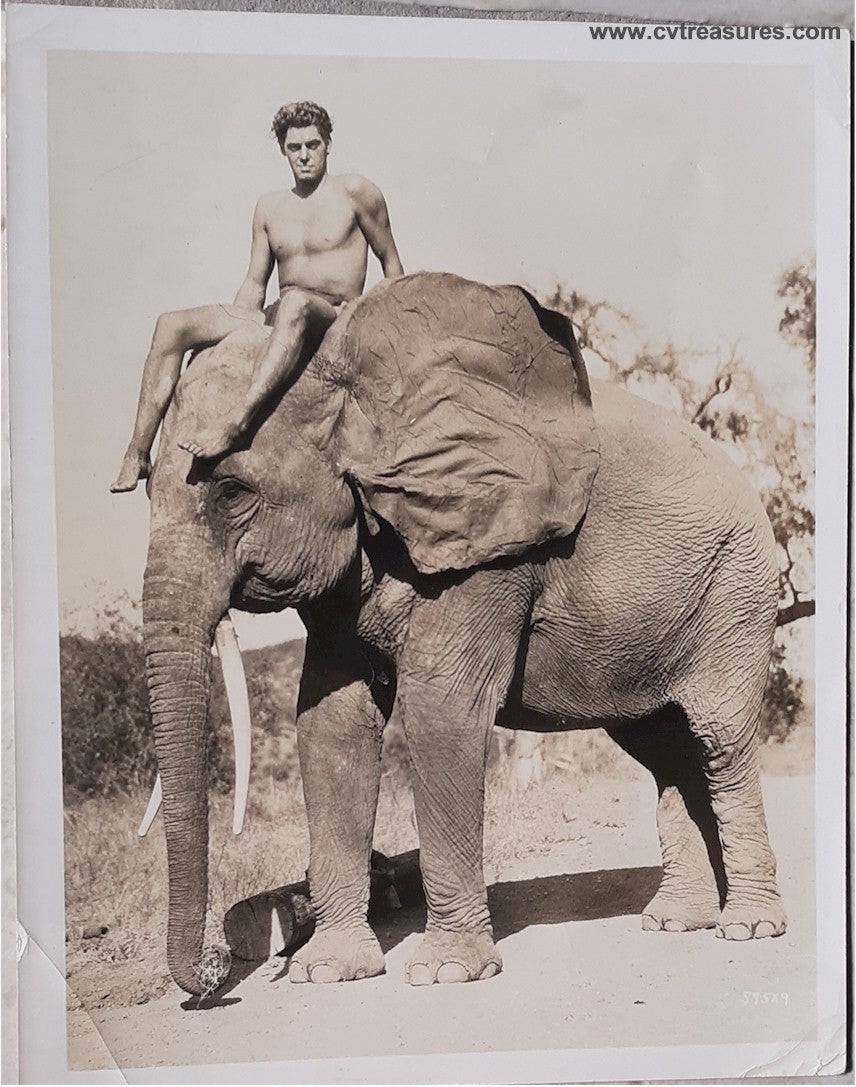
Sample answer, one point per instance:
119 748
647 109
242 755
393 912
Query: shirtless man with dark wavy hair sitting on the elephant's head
319 234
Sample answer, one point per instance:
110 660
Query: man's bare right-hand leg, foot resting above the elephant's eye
301 313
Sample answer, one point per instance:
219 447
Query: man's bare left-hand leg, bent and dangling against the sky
176 334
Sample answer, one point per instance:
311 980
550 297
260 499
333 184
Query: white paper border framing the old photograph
32 33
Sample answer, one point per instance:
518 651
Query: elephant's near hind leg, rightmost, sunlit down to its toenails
727 730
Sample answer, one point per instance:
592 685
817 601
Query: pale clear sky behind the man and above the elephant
678 193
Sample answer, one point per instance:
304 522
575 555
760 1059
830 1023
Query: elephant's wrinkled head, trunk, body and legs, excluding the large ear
654 620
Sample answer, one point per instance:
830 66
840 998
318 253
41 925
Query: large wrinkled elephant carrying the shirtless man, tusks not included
629 584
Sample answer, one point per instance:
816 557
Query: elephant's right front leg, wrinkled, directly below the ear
454 674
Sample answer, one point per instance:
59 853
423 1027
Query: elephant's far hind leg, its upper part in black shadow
693 884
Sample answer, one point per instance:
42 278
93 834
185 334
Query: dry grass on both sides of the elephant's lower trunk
116 880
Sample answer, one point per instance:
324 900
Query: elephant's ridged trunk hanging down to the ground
179 627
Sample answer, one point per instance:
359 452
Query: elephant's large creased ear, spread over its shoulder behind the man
466 418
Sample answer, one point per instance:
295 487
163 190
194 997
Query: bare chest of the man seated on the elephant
311 227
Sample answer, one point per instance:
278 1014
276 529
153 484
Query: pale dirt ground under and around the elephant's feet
579 972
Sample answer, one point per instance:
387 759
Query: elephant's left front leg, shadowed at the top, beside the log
340 731
